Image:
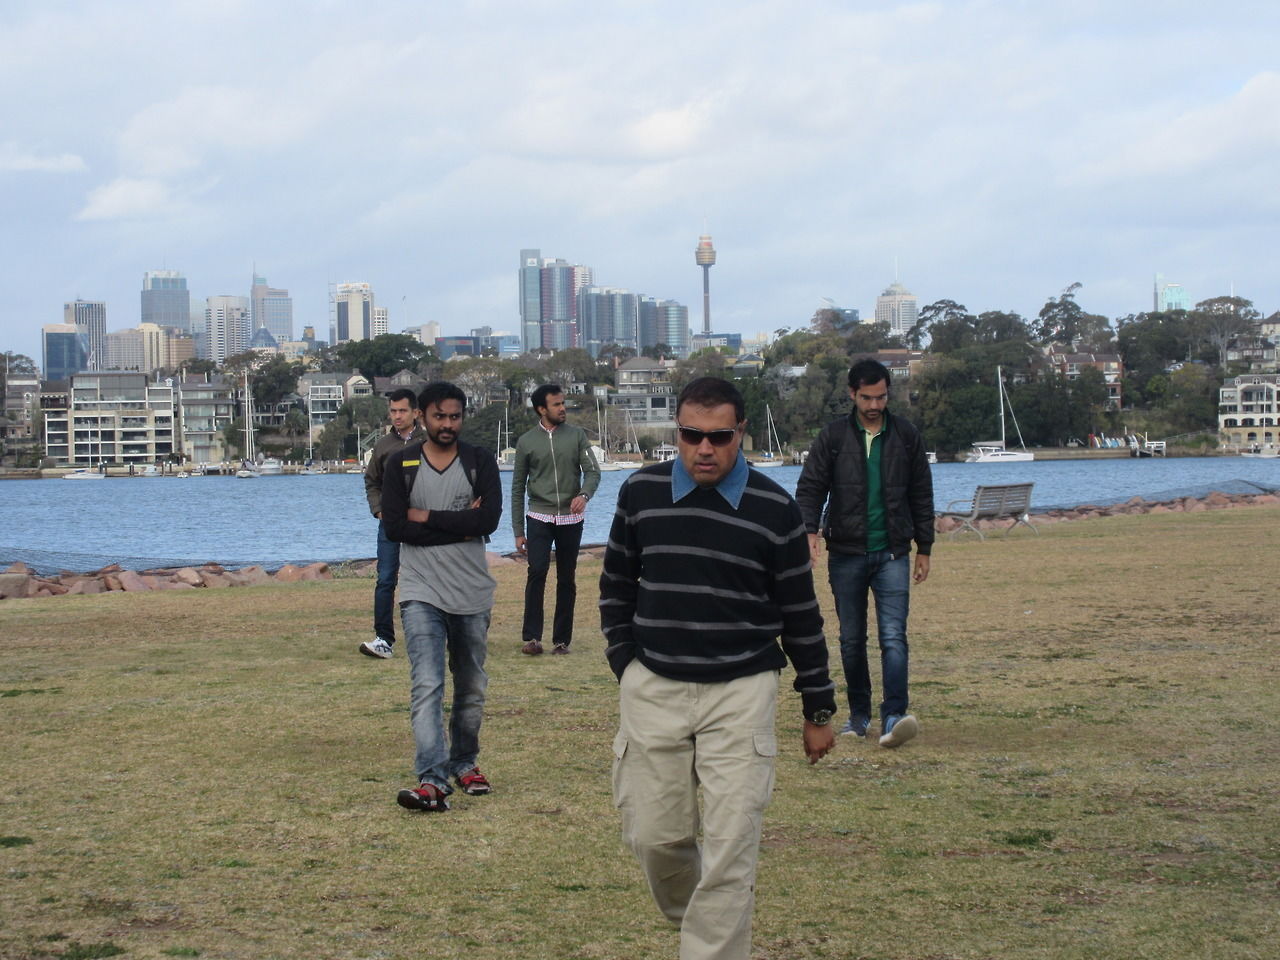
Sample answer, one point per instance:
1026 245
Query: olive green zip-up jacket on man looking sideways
554 468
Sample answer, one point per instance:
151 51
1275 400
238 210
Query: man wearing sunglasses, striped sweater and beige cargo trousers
707 566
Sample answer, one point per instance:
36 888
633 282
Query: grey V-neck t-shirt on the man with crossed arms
454 578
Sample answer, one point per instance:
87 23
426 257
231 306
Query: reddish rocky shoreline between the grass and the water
20 582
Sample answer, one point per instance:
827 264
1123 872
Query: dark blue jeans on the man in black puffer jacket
890 580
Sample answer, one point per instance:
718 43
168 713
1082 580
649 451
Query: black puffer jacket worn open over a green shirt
838 469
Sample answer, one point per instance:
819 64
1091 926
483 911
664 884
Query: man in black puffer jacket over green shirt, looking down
874 468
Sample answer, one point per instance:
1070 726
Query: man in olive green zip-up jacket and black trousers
557 469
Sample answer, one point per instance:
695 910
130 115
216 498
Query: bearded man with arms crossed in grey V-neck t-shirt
441 500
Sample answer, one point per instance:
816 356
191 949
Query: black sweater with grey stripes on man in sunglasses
701 592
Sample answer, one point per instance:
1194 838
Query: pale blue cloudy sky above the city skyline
991 153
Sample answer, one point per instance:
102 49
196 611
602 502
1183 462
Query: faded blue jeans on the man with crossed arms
429 634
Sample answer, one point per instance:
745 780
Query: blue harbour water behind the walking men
275 520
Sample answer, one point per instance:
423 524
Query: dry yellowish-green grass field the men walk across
213 774
